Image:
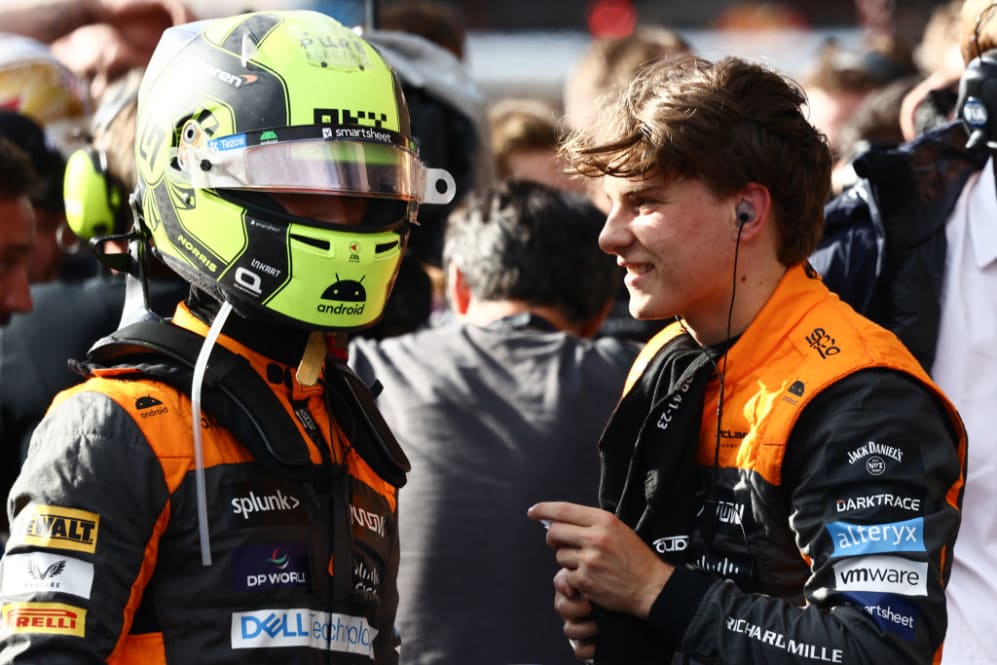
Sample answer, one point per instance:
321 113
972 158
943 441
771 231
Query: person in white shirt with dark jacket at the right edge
912 245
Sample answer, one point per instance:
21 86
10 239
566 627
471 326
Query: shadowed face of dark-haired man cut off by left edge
17 238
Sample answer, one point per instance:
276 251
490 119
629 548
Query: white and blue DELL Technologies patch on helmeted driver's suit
326 631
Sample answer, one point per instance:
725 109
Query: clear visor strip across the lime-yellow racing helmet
315 166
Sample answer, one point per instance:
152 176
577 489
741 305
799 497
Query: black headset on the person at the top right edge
977 102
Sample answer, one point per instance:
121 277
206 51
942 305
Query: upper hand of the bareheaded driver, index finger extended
604 560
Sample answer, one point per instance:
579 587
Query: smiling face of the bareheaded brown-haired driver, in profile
676 241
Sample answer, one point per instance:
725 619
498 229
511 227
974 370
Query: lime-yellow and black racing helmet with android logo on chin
238 116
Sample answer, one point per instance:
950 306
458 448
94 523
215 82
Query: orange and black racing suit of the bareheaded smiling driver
821 513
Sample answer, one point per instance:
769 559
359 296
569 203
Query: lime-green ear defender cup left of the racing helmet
94 204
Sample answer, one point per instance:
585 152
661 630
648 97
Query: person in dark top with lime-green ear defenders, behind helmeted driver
68 316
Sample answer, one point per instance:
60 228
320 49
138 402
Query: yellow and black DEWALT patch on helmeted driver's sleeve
56 527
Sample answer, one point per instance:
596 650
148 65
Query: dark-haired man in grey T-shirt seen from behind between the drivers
495 410
